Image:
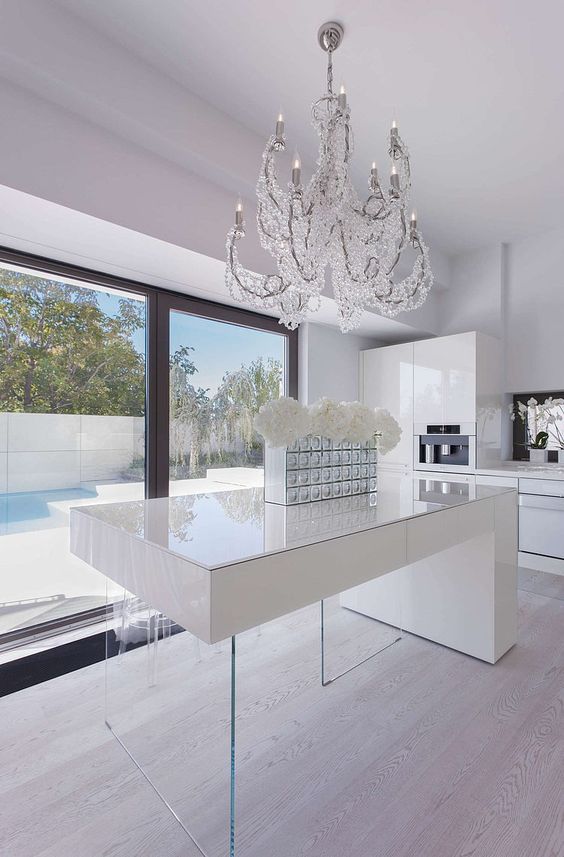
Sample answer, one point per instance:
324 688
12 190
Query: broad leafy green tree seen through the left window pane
60 353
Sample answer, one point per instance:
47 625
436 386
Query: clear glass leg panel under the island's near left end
168 701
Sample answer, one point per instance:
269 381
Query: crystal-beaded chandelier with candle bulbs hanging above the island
326 223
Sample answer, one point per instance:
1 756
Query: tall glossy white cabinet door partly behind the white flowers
387 382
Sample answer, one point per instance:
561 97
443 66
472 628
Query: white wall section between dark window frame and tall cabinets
329 362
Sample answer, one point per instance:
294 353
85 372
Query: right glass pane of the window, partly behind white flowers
220 375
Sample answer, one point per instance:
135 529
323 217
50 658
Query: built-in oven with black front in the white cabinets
449 448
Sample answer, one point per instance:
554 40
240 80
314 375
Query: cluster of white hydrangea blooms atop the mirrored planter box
283 421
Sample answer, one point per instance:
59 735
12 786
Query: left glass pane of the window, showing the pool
72 431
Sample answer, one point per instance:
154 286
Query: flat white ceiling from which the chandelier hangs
477 89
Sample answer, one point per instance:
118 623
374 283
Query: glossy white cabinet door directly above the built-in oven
444 377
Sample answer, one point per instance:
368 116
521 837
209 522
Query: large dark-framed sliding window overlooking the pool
112 390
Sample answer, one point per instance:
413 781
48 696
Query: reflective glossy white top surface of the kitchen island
220 529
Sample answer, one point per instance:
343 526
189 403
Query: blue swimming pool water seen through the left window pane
38 510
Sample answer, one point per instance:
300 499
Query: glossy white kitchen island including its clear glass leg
227 568
